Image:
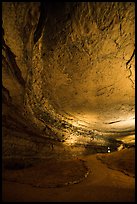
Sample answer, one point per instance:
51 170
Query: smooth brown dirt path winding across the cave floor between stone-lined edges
103 184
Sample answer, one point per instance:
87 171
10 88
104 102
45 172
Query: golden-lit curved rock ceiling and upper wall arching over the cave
69 66
